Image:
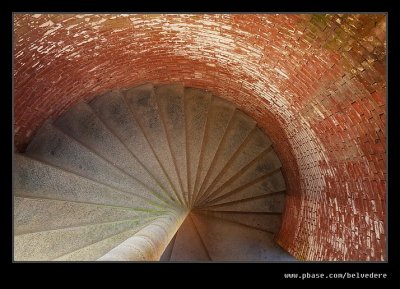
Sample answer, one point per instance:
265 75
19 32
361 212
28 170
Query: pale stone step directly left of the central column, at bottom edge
94 251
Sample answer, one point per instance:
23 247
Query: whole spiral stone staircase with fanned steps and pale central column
149 173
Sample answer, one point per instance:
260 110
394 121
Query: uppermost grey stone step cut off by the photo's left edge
36 179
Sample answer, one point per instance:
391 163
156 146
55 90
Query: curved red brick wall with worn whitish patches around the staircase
315 83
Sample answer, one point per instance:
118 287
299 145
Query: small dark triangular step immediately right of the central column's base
188 246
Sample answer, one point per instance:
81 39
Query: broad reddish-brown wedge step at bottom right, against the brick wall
227 241
